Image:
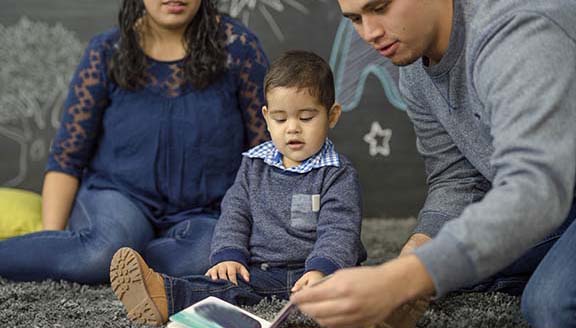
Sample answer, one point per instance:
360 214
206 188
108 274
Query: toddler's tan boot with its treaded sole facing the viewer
138 287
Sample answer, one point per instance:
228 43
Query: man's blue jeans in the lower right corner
545 276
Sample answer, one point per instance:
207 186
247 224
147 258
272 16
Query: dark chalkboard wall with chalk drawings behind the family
41 41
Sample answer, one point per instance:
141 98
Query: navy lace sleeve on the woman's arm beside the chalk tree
87 98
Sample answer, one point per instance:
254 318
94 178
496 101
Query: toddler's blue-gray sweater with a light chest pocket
282 218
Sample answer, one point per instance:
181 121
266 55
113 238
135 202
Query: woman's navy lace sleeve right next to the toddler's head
251 94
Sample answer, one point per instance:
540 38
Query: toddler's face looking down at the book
298 123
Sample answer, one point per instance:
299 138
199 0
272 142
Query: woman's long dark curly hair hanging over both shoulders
205 57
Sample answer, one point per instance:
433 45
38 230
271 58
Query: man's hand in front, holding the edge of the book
365 296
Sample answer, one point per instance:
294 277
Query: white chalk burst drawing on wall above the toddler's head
242 9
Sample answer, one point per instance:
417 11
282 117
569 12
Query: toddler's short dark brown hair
303 70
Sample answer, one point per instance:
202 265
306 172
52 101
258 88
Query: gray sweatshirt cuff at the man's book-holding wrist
447 263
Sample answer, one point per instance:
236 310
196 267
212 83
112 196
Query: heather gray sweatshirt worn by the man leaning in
495 122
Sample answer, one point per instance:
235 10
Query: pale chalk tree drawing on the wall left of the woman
37 63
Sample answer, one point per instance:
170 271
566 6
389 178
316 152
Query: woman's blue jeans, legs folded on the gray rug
101 222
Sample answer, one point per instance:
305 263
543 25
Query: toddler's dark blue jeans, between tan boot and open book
265 282
